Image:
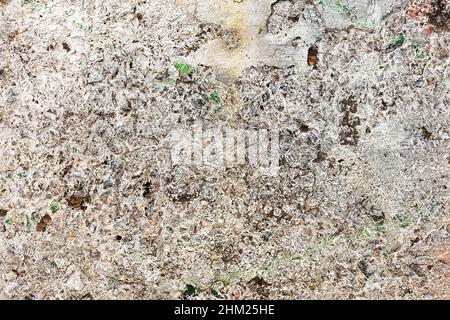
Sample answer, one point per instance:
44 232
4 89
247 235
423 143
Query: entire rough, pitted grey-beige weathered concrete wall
91 205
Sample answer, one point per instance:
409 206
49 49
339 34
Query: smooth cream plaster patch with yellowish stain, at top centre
251 44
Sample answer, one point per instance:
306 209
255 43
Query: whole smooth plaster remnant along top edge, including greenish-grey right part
252 43
